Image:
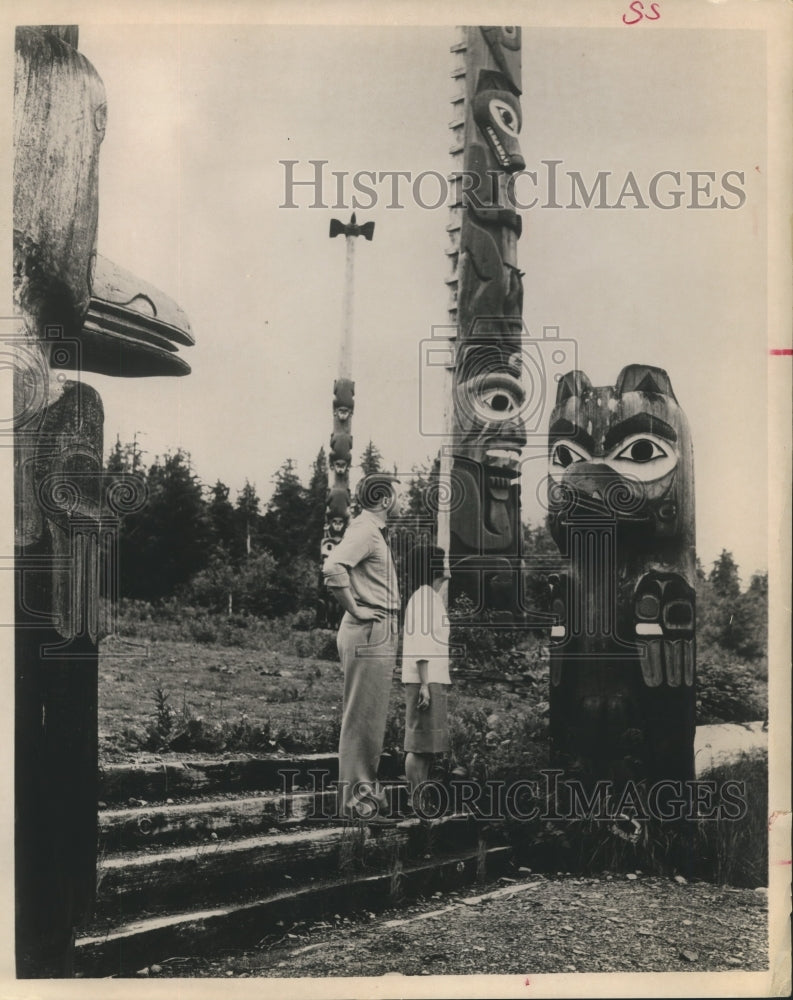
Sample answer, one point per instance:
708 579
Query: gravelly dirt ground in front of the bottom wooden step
534 925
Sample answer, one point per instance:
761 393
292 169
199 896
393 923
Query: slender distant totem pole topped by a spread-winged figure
337 508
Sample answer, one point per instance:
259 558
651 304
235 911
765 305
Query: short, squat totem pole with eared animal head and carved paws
621 510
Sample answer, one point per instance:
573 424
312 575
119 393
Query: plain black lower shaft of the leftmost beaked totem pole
55 799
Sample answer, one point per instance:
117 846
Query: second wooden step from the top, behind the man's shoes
195 822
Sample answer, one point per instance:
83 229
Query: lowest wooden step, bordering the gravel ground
125 948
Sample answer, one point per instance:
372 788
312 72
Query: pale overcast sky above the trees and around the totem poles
190 194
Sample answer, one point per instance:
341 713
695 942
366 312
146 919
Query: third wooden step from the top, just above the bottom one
158 880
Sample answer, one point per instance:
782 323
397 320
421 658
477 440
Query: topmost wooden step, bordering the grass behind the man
156 781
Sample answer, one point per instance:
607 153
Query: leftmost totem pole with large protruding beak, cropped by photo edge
73 311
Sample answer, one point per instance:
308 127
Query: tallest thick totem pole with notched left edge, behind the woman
482 461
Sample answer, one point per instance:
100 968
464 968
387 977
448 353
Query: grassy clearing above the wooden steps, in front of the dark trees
162 689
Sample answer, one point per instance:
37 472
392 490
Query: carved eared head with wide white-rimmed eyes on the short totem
621 452
